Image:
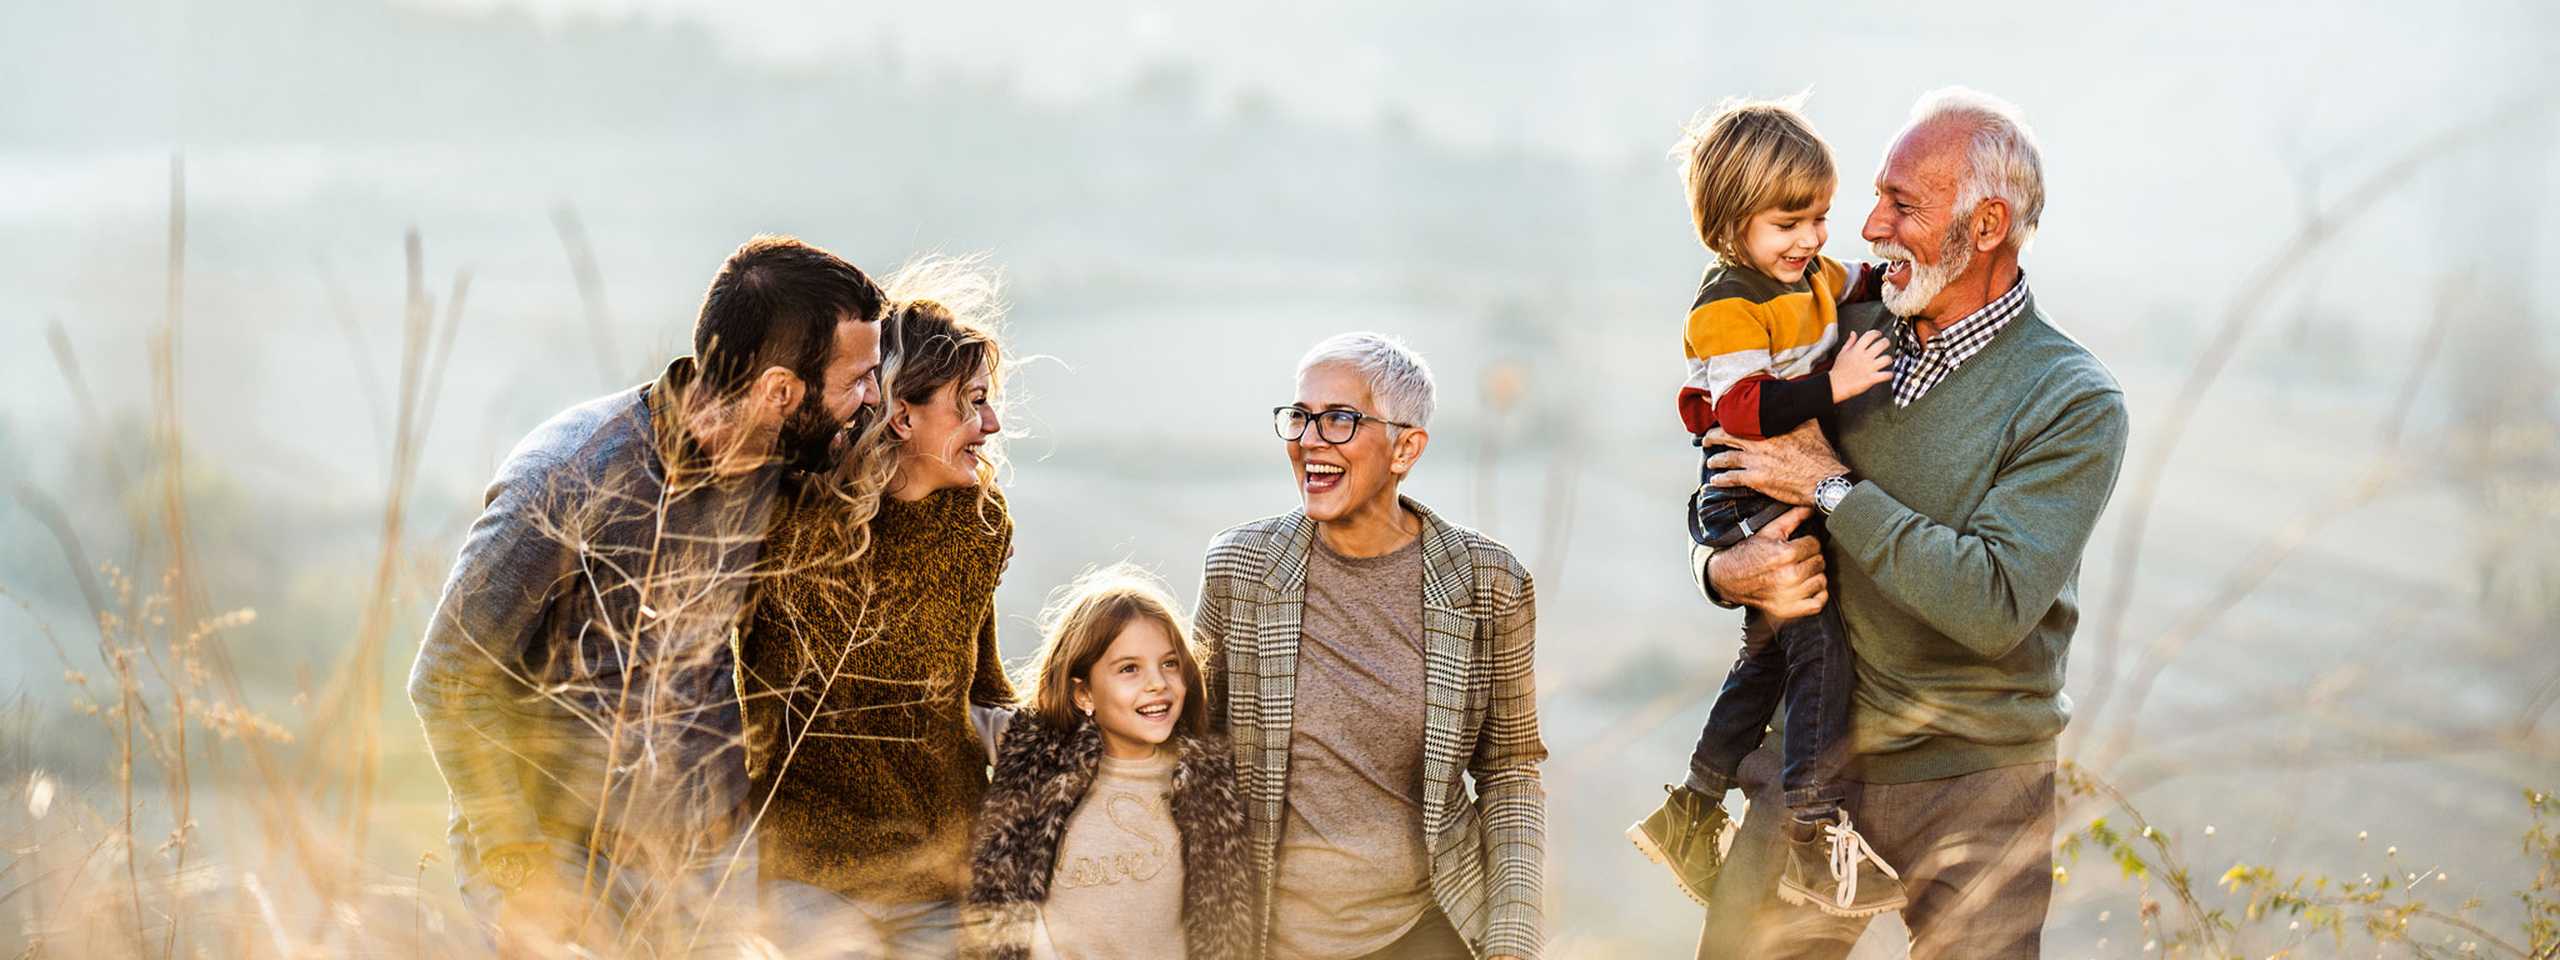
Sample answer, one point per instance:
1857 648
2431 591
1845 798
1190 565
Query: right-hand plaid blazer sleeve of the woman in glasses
1509 795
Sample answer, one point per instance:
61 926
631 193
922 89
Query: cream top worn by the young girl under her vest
1117 892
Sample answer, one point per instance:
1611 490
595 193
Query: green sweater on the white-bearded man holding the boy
1957 554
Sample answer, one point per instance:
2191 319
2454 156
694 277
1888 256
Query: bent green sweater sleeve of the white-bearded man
1996 580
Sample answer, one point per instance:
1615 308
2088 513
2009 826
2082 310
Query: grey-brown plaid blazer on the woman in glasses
1489 851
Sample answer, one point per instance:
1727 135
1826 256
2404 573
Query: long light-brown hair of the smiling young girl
1079 628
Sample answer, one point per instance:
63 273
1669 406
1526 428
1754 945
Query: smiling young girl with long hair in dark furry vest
1112 826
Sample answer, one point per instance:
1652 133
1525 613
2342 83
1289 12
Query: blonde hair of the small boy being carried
1750 157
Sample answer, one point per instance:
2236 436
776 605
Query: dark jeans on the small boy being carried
1806 667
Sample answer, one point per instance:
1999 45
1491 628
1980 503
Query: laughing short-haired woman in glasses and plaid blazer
1363 657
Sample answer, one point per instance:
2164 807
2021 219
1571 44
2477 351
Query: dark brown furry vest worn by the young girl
1041 777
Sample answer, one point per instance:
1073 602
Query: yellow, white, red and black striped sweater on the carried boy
1757 344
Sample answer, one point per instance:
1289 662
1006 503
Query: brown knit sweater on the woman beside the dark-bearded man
859 716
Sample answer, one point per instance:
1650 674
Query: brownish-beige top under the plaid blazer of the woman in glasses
1353 867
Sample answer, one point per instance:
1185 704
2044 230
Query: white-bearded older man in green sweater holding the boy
1955 549
